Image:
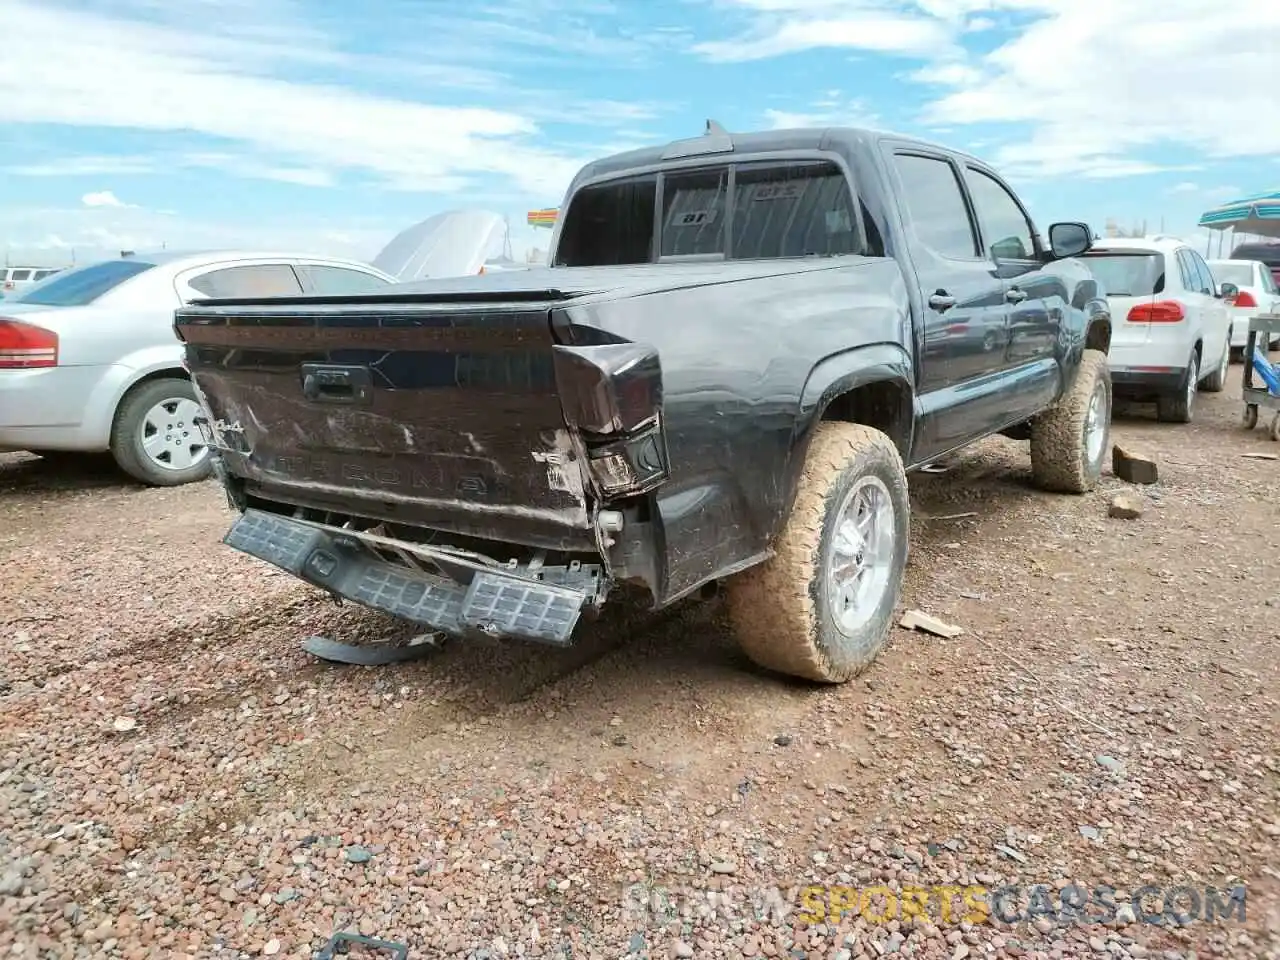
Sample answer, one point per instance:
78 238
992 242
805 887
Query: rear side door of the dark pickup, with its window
966 323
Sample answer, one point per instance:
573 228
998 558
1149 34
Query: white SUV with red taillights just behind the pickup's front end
1171 327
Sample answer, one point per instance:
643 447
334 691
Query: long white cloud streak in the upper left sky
222 85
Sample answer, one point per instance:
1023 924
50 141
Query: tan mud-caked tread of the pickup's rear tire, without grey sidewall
771 606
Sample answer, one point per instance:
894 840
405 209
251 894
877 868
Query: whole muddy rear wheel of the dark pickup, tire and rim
822 607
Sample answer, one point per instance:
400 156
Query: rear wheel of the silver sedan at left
156 438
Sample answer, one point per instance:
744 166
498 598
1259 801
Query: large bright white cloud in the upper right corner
1094 85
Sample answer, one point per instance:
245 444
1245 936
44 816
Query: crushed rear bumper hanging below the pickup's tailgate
447 592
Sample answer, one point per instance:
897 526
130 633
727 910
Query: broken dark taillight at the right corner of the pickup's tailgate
612 396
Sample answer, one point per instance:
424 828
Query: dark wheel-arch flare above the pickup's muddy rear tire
836 377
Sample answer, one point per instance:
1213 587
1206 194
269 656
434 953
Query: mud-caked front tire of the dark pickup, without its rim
1060 461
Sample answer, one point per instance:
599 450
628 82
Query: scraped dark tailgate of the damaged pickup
446 405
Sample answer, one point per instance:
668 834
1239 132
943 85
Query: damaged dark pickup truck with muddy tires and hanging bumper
743 346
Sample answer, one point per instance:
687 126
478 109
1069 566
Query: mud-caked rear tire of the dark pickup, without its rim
780 609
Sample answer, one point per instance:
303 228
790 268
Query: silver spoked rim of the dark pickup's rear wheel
861 557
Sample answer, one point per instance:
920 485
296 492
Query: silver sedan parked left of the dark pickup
89 360
